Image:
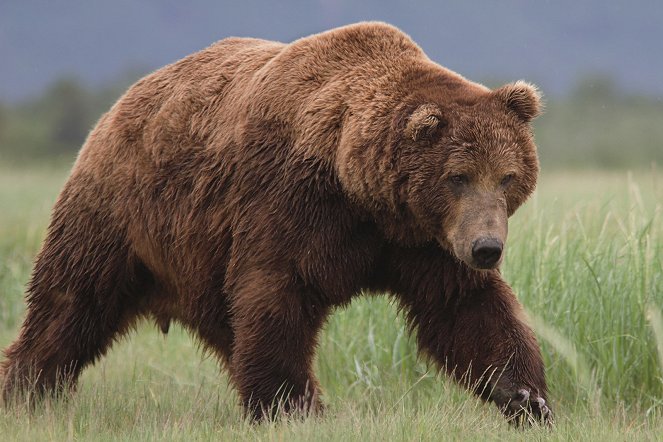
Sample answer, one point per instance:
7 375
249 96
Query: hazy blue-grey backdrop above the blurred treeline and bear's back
548 42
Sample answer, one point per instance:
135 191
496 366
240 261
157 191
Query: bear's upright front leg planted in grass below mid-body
276 328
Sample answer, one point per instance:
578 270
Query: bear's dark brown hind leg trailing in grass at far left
68 328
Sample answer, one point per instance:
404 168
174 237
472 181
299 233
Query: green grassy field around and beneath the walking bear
585 256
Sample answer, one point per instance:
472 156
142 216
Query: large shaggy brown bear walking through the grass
248 189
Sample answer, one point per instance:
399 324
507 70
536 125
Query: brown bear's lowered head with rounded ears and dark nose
451 168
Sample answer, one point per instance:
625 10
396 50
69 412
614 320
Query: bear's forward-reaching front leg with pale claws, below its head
480 338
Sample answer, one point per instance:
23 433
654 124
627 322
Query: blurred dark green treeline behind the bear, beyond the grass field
595 125
